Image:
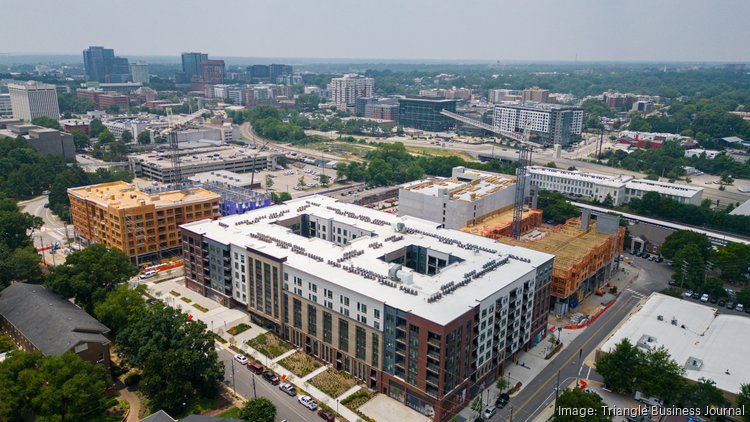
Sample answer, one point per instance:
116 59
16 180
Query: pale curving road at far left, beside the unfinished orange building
53 230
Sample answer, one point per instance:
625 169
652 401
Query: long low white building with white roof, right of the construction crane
621 189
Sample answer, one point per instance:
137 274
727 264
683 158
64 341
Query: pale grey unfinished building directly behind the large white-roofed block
463 199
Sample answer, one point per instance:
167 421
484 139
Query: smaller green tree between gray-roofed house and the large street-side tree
120 307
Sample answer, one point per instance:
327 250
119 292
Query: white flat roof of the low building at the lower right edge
706 343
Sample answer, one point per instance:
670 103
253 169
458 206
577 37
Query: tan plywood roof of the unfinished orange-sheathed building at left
122 195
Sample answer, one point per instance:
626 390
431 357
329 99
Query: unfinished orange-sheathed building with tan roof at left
141 224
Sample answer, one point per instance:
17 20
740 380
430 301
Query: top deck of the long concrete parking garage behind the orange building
192 157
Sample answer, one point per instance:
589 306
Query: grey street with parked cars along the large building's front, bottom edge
287 408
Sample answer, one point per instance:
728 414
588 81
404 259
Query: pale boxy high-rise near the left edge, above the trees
32 99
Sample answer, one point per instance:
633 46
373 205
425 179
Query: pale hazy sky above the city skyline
648 30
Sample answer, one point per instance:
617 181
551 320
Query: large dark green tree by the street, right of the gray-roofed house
164 343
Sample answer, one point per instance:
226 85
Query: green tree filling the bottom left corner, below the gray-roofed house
52 388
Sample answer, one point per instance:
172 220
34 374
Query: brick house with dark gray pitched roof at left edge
38 319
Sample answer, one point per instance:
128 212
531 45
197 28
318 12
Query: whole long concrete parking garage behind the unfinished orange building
198 160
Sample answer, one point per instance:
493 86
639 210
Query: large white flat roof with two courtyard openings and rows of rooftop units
258 230
